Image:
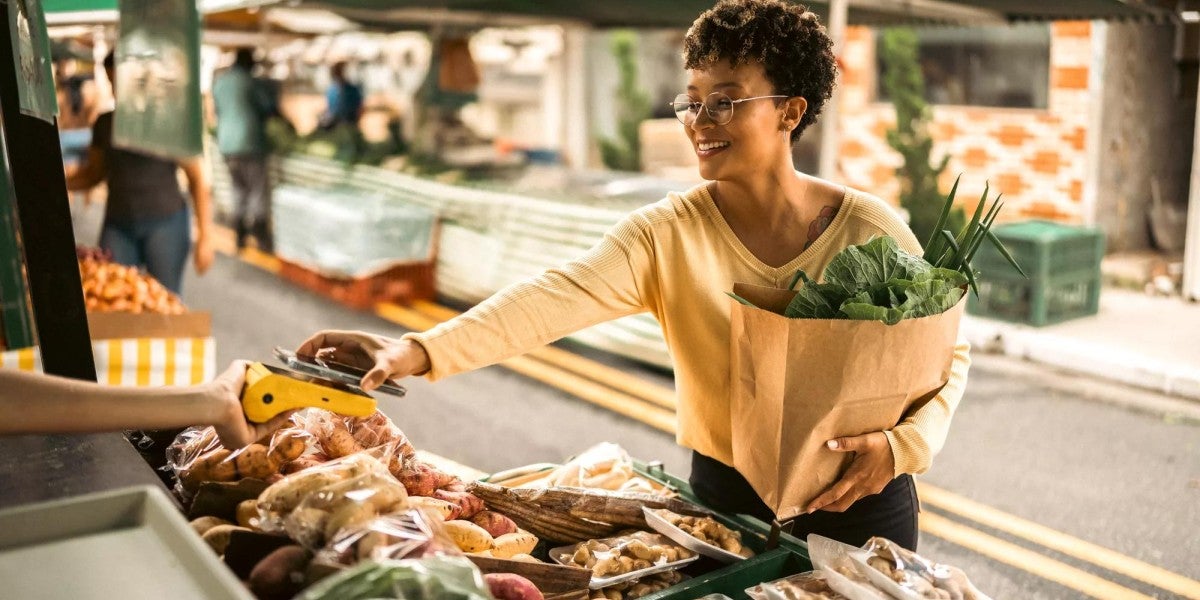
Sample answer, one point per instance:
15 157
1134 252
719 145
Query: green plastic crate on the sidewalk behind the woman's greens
1064 268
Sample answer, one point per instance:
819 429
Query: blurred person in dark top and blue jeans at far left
147 221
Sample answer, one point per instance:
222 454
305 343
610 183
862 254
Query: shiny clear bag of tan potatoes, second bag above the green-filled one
313 506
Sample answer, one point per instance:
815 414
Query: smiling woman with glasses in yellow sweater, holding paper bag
760 73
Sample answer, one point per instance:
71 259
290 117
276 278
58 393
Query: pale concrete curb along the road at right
1103 362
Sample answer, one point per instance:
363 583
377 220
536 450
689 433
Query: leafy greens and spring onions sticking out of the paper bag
880 281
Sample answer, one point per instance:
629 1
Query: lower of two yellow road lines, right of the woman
1027 560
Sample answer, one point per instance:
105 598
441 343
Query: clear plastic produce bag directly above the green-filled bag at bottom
413 533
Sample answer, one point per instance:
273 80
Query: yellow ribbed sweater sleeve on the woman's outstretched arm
613 280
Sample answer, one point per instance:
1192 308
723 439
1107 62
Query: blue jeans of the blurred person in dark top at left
161 245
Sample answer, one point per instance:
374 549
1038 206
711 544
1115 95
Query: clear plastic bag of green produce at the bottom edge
442 578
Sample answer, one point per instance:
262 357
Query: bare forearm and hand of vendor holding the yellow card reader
38 404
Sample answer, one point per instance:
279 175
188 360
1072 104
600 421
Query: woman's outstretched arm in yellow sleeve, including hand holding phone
615 279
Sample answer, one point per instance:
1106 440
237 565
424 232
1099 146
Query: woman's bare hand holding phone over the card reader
382 358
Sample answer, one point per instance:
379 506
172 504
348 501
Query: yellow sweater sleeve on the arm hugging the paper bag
922 435
